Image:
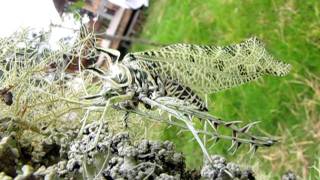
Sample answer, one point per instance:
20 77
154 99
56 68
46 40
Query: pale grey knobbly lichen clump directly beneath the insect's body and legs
115 156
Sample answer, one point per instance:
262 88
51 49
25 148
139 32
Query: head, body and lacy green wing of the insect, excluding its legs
186 72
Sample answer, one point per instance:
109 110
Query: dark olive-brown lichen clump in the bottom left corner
19 147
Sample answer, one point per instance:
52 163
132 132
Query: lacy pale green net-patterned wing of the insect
206 68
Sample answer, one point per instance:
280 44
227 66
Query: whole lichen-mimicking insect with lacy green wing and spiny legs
176 78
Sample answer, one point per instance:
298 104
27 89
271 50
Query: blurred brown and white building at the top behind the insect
114 24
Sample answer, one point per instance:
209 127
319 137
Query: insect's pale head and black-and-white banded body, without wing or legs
128 78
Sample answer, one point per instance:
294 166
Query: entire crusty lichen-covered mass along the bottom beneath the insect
70 155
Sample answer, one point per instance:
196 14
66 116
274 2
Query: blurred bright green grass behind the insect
288 108
